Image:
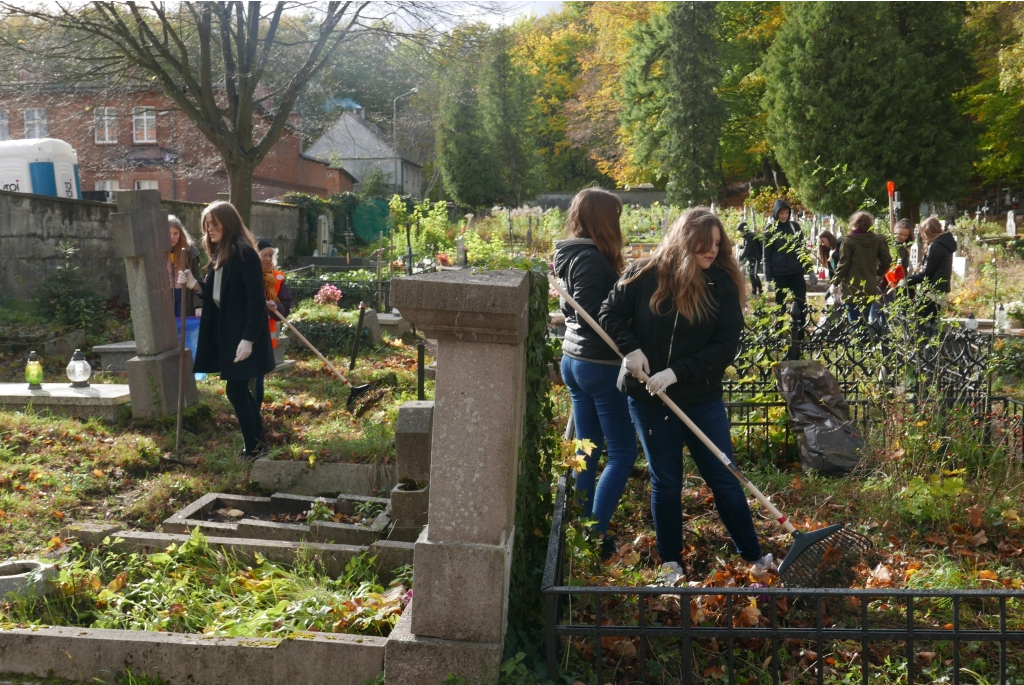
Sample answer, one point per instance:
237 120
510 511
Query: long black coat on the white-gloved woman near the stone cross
242 316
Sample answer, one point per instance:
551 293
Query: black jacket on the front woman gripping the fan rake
699 353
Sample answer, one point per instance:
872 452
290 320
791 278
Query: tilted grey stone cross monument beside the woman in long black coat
142 238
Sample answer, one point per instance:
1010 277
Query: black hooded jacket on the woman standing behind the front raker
589 277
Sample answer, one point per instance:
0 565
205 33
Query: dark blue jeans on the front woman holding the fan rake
663 437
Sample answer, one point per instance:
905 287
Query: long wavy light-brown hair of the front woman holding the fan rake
680 278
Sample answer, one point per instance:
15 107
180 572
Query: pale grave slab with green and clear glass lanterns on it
104 401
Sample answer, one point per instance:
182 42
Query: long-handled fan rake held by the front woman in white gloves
818 558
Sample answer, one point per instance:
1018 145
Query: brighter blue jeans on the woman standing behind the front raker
603 416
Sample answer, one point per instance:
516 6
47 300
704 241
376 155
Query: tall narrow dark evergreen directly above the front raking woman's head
694 114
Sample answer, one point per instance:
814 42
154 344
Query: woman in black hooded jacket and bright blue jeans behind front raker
589 265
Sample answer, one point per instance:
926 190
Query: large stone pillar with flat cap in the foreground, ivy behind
462 561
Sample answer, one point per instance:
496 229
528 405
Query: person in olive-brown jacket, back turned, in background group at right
863 260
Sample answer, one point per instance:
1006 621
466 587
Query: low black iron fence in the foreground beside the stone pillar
753 635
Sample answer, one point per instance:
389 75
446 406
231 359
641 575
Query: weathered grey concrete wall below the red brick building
31 228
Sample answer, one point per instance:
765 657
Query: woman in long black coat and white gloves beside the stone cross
234 335
